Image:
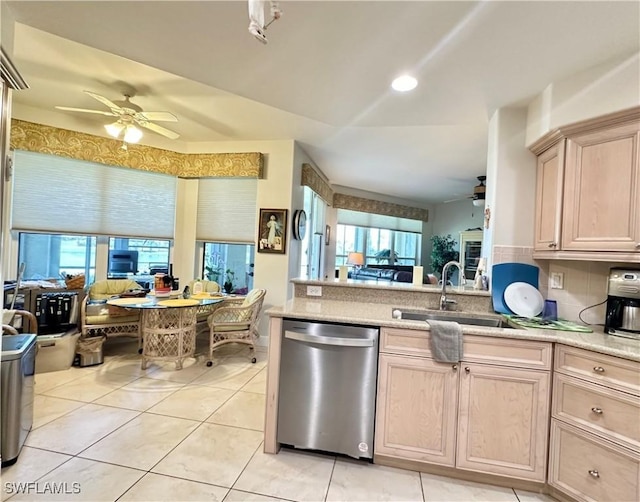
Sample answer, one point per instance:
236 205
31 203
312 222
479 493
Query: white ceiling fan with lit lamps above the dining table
128 116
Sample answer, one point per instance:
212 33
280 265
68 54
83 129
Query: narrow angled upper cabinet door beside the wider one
549 182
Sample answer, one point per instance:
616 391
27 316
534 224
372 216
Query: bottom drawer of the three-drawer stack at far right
592 469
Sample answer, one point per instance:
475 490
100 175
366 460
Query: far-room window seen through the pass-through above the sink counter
379 245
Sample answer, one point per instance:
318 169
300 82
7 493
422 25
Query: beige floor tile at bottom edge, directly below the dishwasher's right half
362 481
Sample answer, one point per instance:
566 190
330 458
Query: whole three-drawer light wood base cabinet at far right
595 426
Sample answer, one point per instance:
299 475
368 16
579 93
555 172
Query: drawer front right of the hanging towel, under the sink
507 352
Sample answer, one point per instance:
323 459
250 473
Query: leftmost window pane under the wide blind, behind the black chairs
48 256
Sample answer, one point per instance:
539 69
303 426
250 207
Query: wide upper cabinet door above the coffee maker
602 191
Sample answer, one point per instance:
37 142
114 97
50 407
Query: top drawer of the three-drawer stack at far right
615 372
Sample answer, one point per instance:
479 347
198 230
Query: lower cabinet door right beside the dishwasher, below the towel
416 409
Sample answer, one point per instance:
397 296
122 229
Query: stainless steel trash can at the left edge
16 394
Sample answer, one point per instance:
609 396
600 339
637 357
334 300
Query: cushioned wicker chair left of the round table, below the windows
100 319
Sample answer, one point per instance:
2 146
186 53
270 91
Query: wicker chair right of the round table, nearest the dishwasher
236 323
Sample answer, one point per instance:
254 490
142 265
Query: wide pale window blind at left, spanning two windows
61 195
